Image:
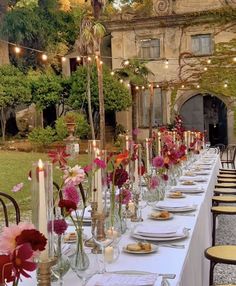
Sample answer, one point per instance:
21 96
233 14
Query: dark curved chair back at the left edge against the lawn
5 200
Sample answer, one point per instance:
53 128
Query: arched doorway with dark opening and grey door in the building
207 113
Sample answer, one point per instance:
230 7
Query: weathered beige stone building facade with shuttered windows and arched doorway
175 28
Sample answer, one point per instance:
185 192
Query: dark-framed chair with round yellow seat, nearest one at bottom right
225 254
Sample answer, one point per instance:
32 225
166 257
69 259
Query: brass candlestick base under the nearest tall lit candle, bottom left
44 272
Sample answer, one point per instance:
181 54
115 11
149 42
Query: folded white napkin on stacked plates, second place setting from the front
150 231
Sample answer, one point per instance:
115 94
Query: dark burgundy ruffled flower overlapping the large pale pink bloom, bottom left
35 238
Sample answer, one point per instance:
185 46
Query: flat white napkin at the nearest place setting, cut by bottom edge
113 279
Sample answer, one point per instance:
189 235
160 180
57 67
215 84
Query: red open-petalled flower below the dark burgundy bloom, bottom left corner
21 260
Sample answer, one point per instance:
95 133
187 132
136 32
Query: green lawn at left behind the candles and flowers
14 169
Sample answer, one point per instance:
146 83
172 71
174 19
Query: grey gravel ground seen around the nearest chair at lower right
225 234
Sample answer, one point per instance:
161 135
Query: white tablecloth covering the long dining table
188 264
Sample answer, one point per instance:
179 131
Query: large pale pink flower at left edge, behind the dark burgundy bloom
8 237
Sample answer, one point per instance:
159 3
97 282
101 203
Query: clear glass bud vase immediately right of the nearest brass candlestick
62 266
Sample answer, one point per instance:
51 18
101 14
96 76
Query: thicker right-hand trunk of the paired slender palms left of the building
101 104
